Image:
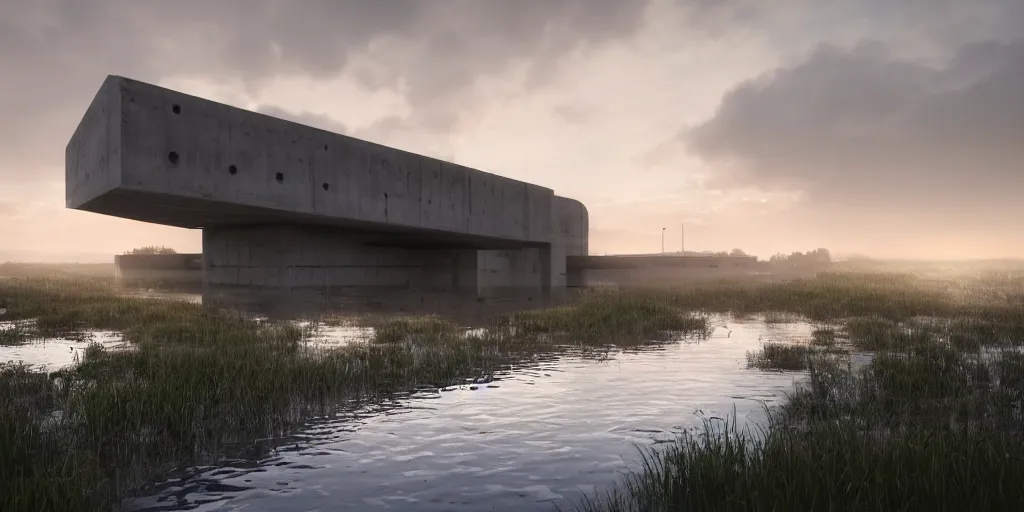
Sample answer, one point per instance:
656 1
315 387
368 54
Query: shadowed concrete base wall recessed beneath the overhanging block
291 259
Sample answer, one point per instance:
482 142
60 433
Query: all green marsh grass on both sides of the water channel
199 386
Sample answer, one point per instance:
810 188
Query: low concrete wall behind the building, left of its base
159 271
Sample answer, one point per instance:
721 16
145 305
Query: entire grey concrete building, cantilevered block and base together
285 207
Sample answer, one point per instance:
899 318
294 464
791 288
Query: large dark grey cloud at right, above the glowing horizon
860 129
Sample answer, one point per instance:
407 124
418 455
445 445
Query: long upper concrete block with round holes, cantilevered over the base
154 155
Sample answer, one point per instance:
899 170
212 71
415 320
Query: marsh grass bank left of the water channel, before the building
200 386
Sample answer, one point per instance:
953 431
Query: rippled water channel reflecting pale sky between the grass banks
532 438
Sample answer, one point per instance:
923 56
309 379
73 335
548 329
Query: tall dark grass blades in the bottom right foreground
836 467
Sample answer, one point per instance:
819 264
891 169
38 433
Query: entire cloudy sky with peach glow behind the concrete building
894 130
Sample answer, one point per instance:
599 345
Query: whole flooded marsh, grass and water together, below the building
170 406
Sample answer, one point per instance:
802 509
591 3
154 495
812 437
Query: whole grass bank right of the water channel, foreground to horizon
934 422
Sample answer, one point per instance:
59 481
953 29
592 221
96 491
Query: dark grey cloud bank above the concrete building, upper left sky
57 53
